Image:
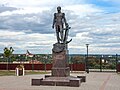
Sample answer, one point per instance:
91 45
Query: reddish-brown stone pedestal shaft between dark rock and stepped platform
60 66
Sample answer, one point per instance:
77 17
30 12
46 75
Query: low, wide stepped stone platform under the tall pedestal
58 81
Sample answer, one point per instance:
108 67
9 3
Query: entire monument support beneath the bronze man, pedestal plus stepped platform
60 70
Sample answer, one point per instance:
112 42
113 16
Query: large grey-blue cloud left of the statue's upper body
34 22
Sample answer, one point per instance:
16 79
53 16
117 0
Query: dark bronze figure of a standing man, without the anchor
59 21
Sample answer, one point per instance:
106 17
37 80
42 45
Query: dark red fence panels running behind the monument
74 67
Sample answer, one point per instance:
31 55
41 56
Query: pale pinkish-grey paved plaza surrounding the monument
94 81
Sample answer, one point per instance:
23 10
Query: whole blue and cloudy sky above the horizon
27 25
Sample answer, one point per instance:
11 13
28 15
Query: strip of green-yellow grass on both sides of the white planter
12 73
